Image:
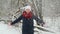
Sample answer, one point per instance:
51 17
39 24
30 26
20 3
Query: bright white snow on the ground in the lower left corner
5 29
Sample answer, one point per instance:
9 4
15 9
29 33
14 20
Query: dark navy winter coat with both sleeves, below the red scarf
27 27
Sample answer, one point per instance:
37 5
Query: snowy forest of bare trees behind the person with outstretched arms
48 10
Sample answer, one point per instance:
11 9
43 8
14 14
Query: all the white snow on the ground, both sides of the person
5 29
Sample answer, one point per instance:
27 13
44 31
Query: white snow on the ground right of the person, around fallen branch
51 24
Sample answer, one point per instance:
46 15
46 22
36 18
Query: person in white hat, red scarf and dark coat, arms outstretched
27 17
